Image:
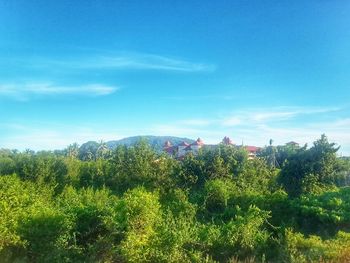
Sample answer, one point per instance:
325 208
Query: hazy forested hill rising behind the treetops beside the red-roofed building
157 142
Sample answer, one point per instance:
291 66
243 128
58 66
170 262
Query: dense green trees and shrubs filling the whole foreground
134 204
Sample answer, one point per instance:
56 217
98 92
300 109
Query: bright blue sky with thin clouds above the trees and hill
72 71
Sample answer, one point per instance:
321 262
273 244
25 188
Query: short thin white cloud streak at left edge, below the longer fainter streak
25 91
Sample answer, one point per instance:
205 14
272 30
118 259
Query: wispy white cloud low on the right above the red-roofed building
257 126
